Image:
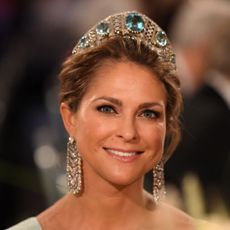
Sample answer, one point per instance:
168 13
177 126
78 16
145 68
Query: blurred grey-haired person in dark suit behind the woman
200 34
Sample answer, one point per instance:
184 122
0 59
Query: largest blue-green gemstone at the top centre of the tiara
134 23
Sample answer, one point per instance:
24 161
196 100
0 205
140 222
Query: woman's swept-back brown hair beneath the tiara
78 71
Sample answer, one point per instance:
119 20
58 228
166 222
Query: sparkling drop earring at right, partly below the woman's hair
159 182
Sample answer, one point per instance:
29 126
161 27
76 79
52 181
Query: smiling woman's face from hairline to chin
120 125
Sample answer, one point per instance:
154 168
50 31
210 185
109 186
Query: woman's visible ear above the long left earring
68 118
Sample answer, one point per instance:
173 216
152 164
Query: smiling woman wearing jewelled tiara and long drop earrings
120 101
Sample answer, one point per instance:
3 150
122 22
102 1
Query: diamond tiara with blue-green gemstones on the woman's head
131 25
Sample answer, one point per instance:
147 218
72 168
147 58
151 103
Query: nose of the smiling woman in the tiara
127 130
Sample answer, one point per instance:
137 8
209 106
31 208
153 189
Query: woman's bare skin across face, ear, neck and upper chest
124 109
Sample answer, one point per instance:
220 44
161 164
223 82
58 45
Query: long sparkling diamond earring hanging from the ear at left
74 167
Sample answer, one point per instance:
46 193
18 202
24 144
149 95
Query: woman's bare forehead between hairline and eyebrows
126 79
